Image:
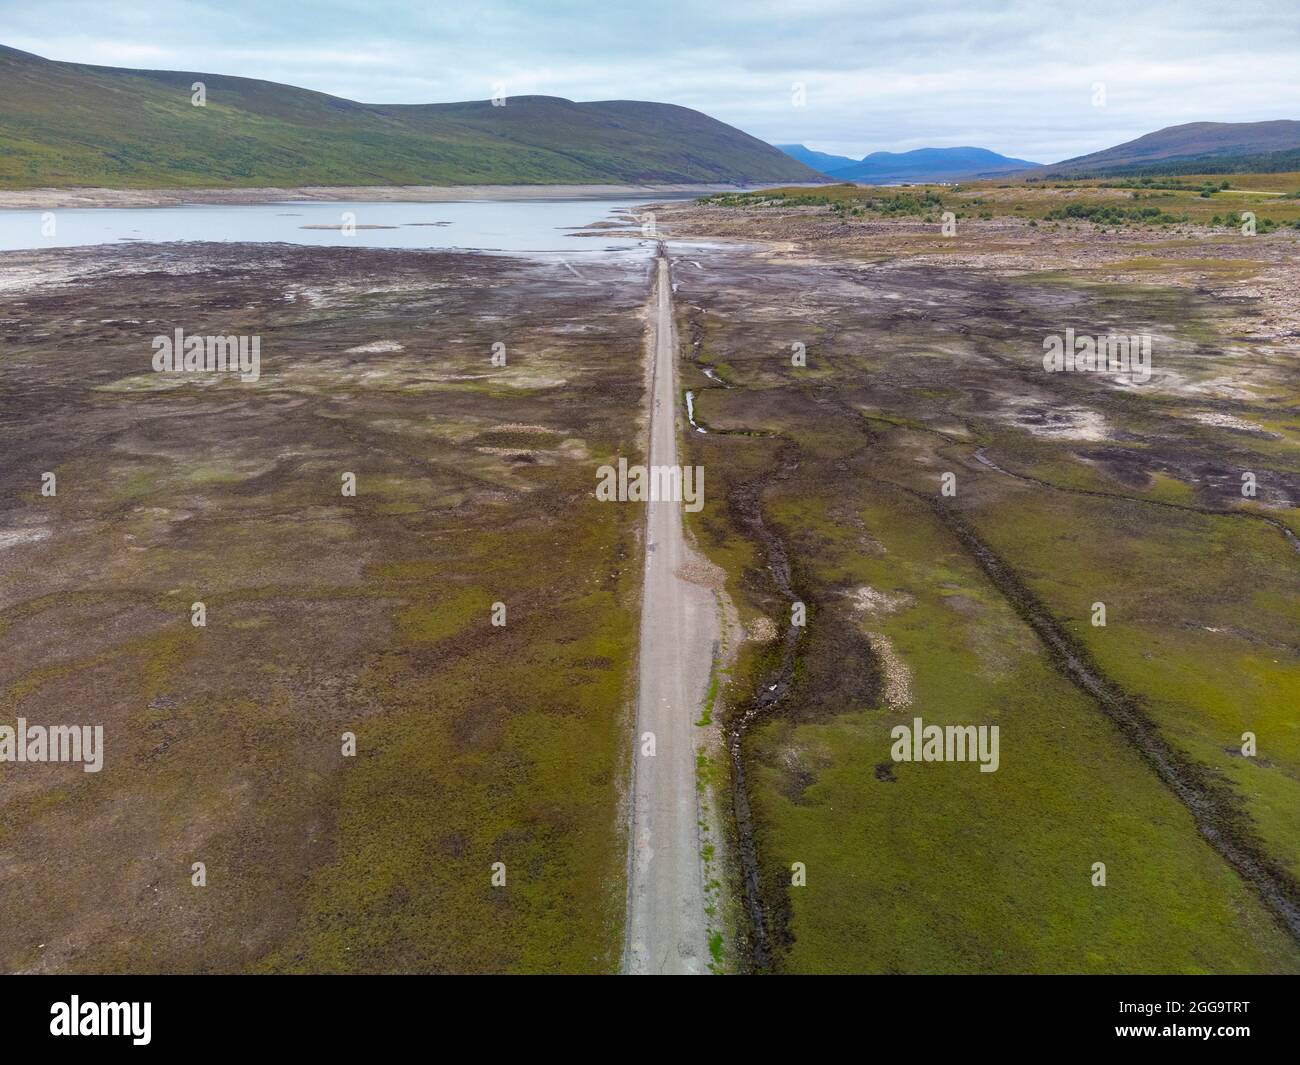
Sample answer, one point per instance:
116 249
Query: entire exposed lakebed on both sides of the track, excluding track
1123 744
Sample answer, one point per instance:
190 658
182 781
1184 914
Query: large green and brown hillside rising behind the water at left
66 124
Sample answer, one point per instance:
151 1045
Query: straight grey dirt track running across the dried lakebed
666 932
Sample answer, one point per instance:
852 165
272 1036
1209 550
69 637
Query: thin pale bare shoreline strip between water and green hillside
70 198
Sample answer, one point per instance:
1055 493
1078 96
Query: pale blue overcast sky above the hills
1015 77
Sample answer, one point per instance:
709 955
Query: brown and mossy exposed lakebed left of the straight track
327 614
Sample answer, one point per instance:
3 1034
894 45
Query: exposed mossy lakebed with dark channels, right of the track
1123 742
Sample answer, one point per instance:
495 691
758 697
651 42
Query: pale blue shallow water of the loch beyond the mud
480 226
